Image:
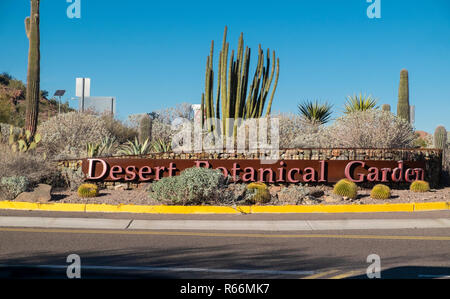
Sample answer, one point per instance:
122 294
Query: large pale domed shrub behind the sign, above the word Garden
370 129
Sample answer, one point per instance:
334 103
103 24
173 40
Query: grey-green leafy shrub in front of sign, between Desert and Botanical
192 186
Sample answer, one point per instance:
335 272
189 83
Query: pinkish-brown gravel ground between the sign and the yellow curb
140 197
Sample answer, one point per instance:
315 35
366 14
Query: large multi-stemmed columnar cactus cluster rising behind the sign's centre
231 97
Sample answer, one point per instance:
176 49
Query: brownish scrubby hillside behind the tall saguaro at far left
12 102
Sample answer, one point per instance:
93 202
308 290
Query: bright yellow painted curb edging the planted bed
104 208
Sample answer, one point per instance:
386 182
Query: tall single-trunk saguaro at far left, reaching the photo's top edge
33 75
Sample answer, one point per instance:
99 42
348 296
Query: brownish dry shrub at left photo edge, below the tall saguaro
32 166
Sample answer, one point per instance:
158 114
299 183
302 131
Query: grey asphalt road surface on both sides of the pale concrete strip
404 253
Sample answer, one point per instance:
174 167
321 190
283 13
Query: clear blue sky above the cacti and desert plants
152 54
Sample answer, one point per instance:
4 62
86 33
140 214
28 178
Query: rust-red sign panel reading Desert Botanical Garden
251 170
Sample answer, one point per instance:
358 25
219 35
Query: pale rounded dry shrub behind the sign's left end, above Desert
66 135
